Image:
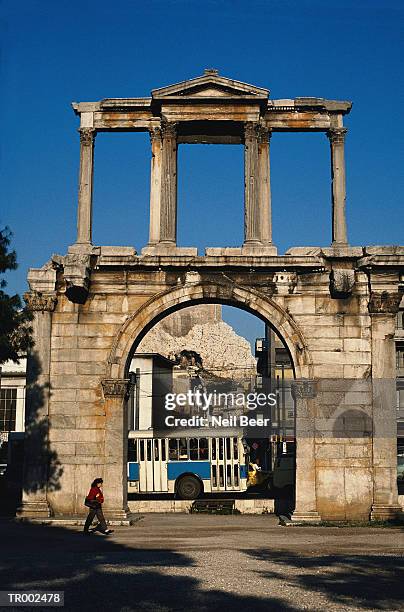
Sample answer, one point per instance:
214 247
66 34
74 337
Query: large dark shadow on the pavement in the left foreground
98 573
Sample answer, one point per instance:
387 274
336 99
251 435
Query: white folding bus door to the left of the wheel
153 465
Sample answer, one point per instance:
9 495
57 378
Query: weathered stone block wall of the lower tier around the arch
343 355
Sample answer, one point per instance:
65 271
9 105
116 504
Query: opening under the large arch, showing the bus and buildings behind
210 460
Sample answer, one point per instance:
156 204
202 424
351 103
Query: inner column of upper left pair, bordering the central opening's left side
168 207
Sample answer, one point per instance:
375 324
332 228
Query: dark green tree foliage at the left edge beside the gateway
15 331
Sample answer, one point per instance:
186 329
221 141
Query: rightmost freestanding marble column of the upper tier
339 230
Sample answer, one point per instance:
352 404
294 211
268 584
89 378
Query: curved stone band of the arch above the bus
197 292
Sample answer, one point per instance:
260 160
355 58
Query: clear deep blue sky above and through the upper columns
57 52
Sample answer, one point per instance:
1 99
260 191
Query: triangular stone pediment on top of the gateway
210 85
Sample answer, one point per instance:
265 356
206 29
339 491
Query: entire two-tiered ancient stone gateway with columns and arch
334 308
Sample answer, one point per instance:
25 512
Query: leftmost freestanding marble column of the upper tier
84 215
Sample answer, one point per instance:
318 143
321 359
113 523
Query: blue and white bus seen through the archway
186 466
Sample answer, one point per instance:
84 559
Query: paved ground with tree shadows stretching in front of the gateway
208 563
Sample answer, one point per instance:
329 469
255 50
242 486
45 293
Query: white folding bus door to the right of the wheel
225 464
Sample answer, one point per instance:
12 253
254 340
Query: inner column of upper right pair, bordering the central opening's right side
252 216
